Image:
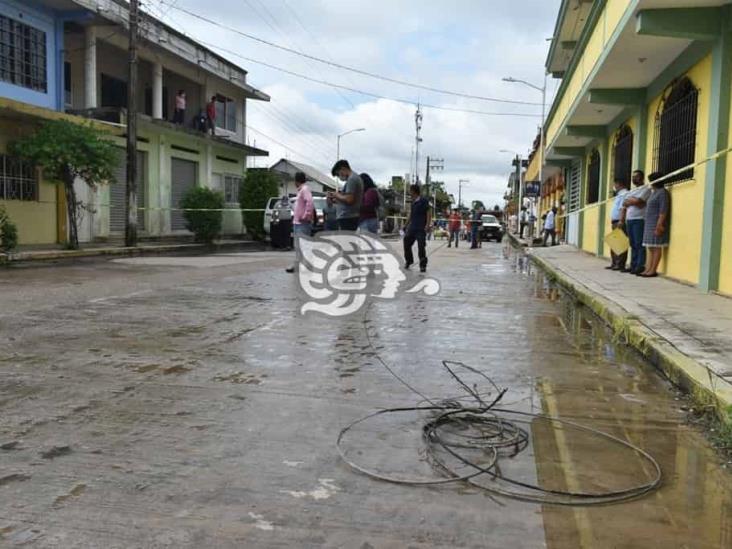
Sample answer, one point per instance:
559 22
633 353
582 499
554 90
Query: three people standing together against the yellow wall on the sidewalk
643 214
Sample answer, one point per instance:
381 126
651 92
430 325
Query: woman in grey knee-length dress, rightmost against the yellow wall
656 225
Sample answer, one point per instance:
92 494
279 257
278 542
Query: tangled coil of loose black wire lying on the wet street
472 423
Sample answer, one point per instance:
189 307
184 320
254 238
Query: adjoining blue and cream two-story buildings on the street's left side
68 58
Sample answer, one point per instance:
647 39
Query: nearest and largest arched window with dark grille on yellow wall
675 139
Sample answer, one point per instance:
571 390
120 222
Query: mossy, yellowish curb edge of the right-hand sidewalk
688 374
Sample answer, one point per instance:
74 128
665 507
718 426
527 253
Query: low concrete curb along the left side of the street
121 251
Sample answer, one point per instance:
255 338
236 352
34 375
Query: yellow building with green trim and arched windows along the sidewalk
645 84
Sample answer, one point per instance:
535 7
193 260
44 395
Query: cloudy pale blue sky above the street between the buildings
466 46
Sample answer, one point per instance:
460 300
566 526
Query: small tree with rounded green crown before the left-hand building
66 151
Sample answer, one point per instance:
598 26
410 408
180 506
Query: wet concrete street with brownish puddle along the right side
182 402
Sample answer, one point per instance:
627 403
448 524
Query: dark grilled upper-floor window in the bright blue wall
22 55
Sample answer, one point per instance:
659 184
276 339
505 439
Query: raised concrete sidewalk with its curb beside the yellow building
684 332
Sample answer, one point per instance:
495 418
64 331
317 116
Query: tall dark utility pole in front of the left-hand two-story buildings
131 227
